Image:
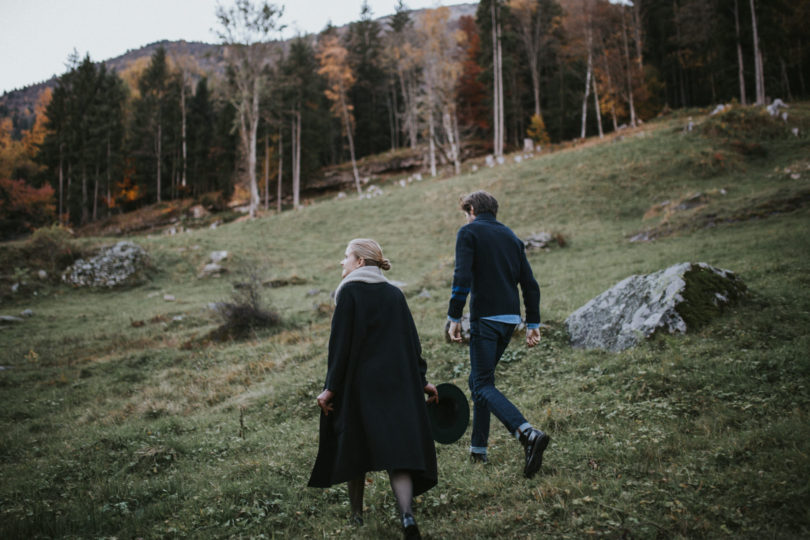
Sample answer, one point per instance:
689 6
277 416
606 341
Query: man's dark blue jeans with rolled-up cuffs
488 341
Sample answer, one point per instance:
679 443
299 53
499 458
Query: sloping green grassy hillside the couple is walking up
120 419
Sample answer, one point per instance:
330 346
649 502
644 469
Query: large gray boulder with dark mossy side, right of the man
679 298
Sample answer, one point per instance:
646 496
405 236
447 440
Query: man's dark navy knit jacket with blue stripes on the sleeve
490 263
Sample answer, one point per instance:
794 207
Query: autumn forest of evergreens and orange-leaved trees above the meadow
440 88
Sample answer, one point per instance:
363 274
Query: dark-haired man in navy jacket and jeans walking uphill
490 263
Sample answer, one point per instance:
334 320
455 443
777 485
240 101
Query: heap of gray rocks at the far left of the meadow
123 264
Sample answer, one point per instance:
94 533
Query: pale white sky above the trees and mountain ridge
37 36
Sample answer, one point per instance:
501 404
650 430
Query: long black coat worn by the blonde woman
377 374
